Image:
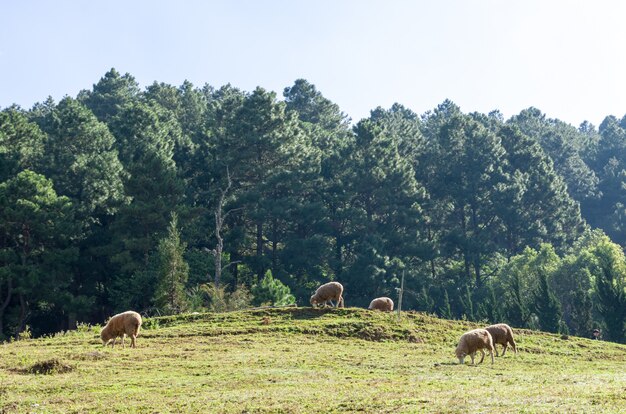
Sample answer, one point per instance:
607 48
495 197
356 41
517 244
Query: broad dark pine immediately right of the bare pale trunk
270 163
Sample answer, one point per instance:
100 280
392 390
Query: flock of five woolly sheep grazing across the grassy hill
129 323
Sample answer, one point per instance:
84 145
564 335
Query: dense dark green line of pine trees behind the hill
178 198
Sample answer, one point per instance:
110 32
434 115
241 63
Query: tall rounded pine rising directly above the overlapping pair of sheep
461 167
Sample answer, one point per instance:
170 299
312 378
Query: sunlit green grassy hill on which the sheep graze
306 360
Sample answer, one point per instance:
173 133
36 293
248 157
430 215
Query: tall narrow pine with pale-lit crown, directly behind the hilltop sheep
316 247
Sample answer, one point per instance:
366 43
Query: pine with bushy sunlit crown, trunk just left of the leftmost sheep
81 160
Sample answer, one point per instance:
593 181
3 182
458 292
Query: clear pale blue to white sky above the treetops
565 57
